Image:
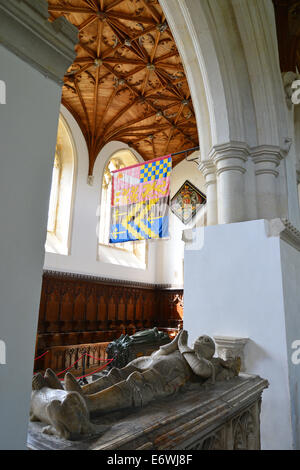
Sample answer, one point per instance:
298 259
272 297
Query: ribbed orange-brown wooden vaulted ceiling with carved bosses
127 82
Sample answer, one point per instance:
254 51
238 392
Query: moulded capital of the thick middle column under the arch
230 157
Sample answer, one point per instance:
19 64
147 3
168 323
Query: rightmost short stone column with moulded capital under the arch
266 158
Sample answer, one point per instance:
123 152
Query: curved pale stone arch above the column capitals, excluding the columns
233 72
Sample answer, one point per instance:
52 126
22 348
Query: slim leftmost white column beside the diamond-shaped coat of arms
209 171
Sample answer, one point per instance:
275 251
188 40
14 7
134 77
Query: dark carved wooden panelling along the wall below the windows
76 309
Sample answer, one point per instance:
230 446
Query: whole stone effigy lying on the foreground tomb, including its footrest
143 380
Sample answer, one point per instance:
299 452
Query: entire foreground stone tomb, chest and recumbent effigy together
211 406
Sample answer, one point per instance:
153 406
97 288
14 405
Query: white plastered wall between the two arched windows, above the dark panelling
83 249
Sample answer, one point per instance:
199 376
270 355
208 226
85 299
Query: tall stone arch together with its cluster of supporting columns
229 50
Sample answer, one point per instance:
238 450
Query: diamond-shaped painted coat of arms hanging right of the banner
187 201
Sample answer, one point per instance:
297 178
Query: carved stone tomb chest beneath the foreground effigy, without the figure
221 416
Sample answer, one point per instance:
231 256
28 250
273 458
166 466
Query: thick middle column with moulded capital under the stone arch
230 161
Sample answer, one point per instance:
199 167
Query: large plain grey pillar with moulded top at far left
34 56
